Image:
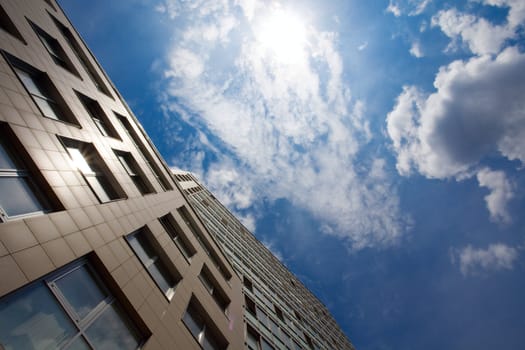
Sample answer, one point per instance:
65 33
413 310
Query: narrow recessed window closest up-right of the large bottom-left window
141 244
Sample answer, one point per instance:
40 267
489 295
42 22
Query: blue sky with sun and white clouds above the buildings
376 147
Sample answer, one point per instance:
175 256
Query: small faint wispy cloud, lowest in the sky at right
496 257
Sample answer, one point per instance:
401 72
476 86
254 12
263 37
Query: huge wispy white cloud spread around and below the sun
275 101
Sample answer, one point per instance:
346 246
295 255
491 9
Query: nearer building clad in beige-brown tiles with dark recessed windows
99 245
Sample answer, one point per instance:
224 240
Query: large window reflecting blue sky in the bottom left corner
70 309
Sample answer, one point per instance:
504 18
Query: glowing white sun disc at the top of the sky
282 34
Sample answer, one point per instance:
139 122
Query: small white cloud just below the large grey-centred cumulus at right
501 192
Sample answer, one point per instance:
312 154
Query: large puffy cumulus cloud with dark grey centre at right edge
477 109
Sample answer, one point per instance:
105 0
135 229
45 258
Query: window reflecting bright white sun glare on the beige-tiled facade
88 162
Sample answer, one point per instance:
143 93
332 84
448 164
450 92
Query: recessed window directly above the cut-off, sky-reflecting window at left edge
41 89
